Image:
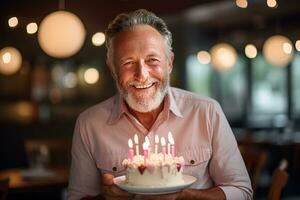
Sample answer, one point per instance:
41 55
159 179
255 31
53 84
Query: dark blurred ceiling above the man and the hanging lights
96 14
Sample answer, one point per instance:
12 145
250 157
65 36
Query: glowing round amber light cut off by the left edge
10 60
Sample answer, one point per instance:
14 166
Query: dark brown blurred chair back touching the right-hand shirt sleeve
255 160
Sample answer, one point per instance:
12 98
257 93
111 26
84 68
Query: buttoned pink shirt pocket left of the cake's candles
112 163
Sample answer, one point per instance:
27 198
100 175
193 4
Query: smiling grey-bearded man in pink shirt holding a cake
139 56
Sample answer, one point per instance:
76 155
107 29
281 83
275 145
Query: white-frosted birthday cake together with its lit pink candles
153 168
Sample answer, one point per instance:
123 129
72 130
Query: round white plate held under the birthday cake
154 190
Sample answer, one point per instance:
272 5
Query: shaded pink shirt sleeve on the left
84 176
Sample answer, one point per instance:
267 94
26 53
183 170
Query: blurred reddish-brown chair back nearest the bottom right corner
279 181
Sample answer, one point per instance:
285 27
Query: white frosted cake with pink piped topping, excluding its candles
158 170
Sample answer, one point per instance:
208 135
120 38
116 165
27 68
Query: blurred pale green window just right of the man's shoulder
228 87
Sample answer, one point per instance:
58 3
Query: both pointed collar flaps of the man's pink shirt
119 107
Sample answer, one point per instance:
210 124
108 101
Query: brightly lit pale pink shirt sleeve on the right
227 167
